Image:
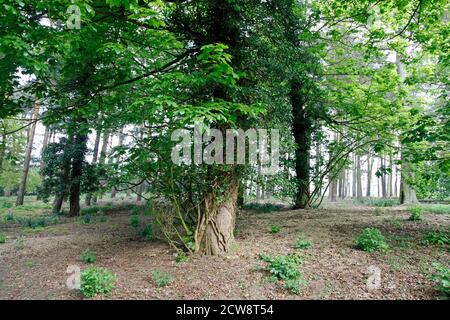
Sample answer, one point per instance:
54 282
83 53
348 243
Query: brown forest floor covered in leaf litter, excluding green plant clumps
33 262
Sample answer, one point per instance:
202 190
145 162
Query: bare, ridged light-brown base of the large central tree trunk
215 229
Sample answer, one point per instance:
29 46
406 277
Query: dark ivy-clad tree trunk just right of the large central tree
301 128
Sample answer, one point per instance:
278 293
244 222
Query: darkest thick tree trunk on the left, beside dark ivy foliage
76 173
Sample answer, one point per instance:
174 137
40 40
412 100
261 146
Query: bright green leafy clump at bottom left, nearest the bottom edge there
96 280
